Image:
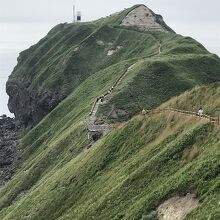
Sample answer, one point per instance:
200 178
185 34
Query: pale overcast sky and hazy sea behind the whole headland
25 22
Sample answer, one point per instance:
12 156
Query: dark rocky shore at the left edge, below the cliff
9 133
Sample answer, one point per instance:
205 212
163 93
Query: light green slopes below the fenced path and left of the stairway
125 175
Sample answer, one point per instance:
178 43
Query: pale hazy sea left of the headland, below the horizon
14 38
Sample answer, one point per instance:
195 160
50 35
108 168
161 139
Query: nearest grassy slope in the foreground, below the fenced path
124 176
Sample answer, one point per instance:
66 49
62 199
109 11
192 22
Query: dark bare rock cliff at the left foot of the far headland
28 106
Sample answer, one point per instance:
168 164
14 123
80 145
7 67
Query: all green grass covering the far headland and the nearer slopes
144 161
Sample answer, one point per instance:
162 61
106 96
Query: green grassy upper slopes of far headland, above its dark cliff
70 53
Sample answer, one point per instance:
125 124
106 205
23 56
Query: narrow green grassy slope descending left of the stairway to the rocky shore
59 137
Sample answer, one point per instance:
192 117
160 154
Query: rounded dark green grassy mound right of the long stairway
155 80
